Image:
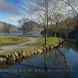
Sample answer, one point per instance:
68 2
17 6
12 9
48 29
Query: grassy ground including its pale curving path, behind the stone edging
27 43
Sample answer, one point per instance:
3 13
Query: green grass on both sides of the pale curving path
12 40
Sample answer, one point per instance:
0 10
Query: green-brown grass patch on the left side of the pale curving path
11 40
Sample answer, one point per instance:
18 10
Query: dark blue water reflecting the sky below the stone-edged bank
54 60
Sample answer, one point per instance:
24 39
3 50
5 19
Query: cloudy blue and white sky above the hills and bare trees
13 10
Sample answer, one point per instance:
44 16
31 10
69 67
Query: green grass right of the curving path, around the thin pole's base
53 41
